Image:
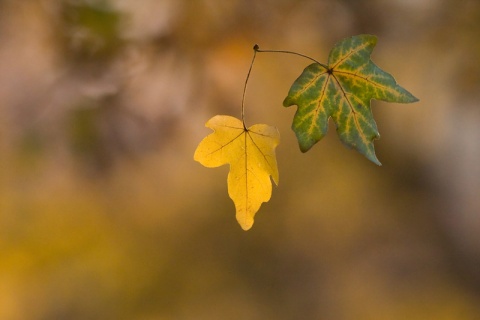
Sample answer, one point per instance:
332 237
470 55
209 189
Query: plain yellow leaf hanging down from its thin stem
251 155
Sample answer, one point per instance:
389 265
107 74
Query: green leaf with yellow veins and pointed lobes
343 90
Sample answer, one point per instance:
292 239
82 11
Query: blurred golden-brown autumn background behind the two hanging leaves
105 215
